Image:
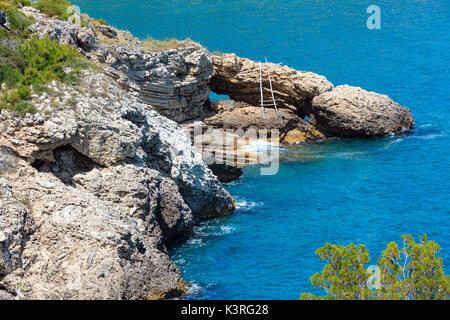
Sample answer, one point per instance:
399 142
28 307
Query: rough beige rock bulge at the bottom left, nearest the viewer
83 247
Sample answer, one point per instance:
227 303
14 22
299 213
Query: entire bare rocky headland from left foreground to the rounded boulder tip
105 175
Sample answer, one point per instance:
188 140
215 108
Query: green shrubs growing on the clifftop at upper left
26 62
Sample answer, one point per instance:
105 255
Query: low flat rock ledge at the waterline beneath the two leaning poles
228 133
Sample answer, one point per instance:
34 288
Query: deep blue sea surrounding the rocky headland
361 191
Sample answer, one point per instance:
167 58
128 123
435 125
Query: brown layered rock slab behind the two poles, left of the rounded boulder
293 89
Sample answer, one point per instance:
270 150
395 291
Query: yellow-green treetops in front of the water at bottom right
412 272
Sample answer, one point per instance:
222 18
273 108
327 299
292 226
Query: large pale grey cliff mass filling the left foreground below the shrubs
93 187
